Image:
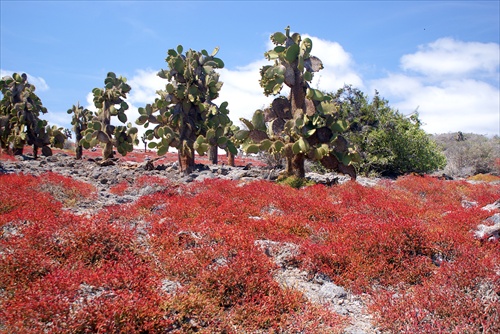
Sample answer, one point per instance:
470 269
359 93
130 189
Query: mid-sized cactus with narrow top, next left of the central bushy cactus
109 102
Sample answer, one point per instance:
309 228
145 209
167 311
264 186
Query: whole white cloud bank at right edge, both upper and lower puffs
447 81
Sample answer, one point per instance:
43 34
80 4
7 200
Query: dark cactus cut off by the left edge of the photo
20 124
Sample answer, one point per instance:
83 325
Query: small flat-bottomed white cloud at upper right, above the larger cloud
447 57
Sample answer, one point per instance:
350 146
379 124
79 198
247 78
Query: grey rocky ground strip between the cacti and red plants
104 175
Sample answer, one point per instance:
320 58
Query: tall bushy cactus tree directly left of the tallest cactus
184 115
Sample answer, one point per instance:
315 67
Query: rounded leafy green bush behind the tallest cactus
388 142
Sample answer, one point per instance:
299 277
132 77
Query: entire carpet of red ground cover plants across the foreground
184 259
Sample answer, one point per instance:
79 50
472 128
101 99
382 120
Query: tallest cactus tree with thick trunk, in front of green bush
301 126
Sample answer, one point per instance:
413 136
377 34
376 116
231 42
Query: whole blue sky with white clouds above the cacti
441 57
